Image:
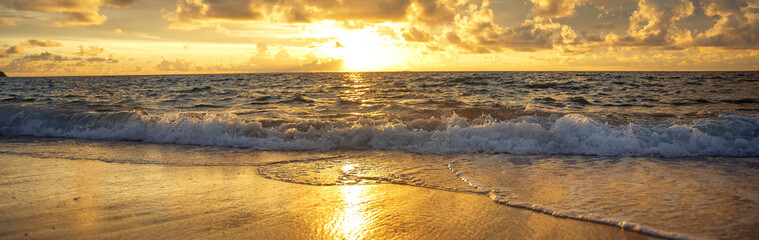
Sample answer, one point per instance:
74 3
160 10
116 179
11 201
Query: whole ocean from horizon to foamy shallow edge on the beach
667 154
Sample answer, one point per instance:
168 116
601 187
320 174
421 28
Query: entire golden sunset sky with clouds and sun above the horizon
133 37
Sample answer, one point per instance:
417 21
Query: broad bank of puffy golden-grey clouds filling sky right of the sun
653 24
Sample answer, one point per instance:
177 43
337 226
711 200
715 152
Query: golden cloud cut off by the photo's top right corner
736 26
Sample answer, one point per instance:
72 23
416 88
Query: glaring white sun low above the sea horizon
363 50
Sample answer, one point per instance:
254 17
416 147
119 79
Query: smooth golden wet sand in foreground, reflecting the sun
84 199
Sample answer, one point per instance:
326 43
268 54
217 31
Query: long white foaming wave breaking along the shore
725 135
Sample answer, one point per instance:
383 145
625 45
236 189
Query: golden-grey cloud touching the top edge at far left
76 12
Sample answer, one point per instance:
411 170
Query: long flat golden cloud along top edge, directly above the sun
191 14
